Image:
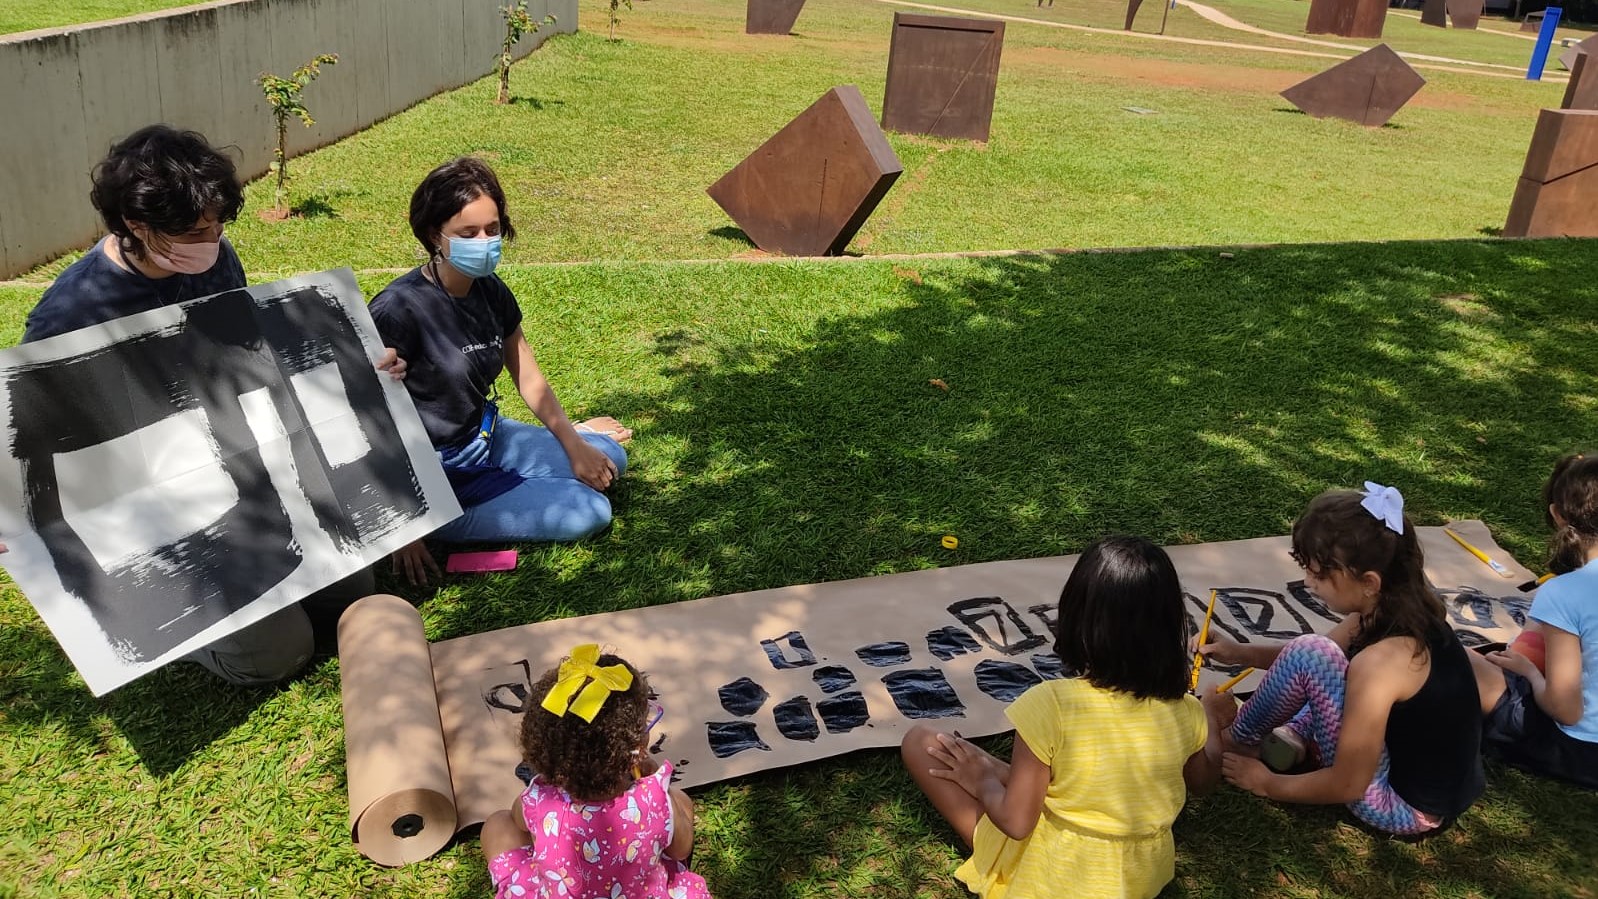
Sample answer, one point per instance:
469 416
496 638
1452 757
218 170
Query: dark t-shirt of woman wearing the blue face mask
455 349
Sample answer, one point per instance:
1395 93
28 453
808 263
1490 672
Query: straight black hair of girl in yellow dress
1121 620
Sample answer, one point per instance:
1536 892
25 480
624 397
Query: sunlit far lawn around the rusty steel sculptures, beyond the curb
611 146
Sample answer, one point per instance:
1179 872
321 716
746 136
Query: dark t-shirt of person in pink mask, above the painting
95 290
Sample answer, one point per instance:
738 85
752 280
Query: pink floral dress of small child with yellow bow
608 850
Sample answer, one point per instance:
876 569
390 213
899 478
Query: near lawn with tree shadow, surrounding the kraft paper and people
787 434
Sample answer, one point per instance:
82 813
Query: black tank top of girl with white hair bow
1434 739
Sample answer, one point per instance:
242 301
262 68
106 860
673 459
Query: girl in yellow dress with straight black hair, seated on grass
1102 762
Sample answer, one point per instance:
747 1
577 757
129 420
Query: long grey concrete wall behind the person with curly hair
66 95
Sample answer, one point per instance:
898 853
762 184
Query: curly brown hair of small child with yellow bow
590 761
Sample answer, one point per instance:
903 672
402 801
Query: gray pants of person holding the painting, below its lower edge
280 644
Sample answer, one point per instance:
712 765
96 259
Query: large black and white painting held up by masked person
183 473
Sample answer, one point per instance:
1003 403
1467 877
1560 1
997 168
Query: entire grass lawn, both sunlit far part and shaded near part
787 432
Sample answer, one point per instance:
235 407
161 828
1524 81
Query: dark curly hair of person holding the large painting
167 180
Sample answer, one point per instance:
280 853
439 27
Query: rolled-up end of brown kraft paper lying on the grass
402 802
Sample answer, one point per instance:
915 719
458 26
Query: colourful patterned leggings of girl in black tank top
1305 691
